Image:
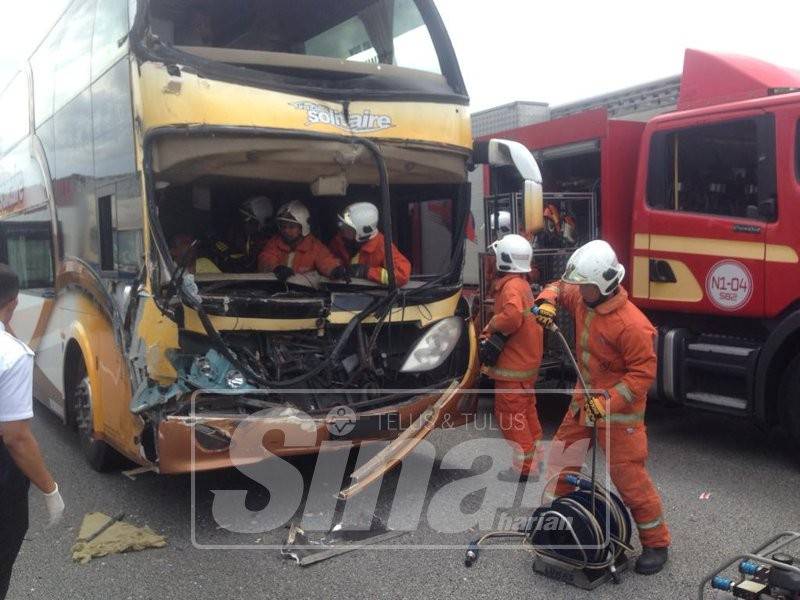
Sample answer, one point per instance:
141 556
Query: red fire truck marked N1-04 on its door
702 205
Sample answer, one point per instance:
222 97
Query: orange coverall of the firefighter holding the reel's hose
614 349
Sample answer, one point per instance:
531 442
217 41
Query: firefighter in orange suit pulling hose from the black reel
614 349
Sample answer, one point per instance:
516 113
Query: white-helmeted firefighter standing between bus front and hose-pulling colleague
511 352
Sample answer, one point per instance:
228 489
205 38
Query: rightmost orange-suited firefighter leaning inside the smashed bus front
362 247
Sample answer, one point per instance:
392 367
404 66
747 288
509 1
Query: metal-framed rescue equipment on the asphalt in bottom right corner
769 572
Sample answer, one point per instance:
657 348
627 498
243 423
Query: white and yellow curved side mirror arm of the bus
506 153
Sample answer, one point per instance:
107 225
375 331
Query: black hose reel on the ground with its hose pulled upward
592 532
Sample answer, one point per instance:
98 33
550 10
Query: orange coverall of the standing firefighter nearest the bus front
517 368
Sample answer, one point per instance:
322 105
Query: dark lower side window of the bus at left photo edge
26 246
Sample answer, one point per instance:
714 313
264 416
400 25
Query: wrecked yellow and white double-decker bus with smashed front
127 209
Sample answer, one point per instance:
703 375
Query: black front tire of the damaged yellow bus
100 456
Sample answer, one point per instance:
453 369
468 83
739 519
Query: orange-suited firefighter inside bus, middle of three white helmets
295 249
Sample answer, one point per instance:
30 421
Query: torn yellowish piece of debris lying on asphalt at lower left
120 537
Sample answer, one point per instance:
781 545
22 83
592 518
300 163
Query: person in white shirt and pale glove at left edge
20 459
